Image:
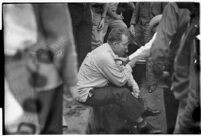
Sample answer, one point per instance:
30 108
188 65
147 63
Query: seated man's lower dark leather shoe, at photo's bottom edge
148 129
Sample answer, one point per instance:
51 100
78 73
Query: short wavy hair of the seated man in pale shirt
116 35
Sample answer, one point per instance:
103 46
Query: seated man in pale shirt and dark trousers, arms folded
100 69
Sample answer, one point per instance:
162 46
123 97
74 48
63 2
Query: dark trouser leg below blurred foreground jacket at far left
50 116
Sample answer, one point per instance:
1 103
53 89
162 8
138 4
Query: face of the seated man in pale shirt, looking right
121 48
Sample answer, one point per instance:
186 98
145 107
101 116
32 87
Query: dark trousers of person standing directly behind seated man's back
82 28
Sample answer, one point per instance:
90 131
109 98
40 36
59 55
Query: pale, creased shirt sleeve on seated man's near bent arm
115 73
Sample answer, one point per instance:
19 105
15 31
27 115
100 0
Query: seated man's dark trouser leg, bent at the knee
129 105
